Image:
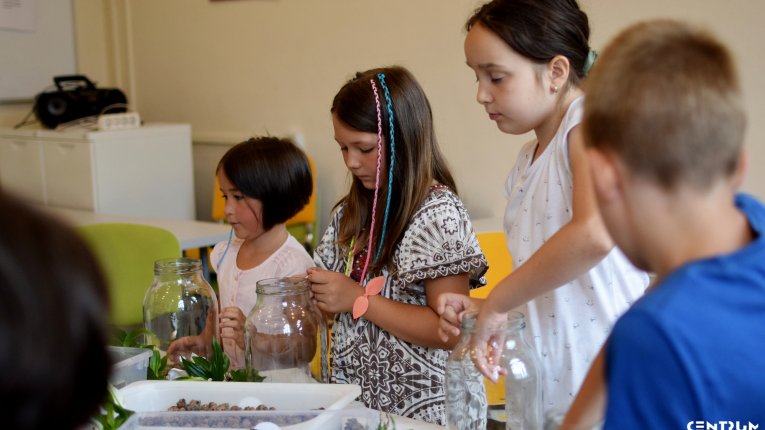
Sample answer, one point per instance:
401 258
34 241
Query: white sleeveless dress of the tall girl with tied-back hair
568 325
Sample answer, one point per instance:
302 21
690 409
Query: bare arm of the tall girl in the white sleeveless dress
574 249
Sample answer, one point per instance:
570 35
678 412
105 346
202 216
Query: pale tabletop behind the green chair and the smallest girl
190 234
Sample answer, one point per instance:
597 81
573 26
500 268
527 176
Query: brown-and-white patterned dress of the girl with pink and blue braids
396 376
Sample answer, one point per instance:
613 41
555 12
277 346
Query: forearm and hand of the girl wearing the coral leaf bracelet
335 292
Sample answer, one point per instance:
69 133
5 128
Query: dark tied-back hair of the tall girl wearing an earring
539 30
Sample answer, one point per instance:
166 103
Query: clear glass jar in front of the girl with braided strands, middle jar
282 331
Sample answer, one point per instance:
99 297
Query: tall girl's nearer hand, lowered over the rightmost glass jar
487 342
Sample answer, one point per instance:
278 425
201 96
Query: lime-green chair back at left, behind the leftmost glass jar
127 253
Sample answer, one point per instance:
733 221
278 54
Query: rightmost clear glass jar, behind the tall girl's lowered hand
466 403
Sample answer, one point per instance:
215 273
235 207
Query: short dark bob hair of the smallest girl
272 170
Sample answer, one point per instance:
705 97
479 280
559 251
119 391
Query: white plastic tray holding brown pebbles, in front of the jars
158 396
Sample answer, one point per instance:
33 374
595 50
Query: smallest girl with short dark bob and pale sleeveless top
265 181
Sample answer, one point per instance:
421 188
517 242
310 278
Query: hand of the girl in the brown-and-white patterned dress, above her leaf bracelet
333 291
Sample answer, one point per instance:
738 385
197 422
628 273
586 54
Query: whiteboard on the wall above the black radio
30 59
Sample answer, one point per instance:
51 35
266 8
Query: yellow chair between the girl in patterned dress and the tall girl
500 262
